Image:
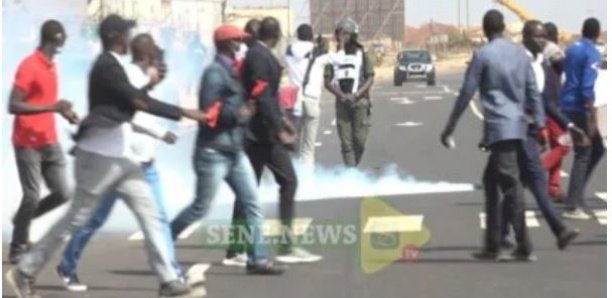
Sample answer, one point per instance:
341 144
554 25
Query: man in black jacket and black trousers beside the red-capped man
270 132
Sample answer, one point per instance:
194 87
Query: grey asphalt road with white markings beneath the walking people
405 127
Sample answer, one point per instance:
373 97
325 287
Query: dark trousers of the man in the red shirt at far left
36 165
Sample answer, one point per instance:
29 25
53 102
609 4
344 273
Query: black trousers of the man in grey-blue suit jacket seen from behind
502 176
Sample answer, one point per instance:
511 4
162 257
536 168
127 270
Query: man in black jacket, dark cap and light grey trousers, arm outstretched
104 163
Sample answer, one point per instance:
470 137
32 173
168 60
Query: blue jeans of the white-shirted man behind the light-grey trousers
79 240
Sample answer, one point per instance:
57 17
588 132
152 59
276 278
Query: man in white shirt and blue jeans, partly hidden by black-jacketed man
140 146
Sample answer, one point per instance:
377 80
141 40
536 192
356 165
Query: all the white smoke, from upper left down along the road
21 29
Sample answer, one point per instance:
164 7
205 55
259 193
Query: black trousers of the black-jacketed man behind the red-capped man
278 160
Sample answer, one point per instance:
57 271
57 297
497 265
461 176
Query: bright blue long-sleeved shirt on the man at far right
582 61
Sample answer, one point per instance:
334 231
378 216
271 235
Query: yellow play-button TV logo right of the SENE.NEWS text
388 235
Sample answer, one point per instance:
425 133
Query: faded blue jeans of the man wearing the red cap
212 167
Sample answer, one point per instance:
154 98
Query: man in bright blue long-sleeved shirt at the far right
577 98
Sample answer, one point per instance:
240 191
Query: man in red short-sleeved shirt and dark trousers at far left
34 101
